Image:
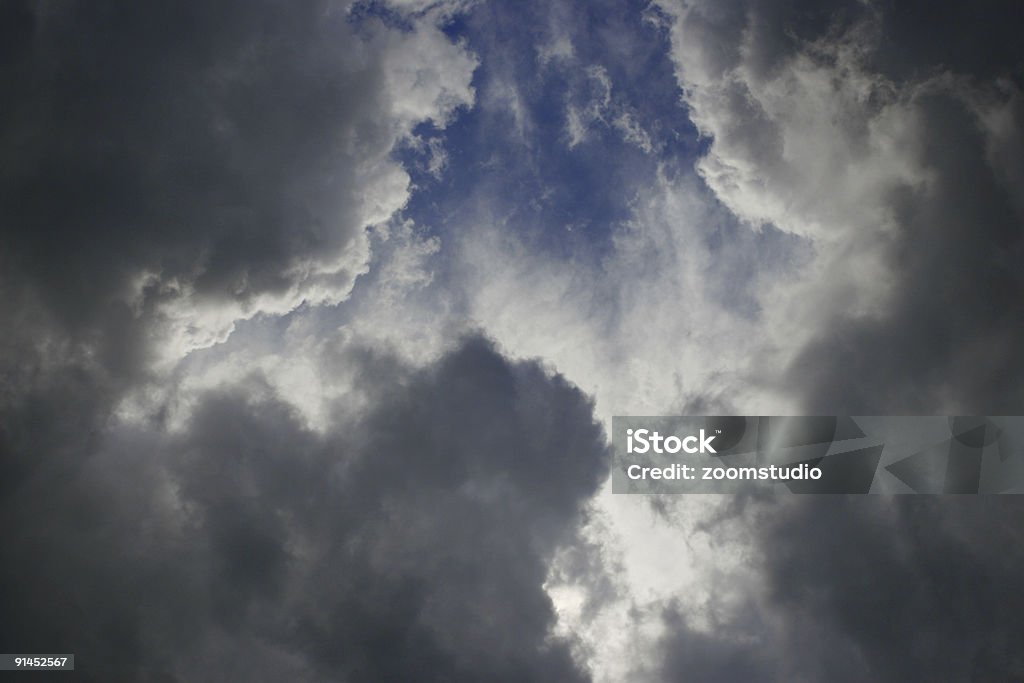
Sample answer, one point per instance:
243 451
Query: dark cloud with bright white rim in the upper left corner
193 168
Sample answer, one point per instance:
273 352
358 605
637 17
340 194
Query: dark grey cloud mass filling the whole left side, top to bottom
159 164
